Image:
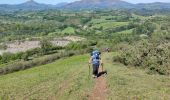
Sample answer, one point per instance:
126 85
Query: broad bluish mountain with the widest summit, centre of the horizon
98 4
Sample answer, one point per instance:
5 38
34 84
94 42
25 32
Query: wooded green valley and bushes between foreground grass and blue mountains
101 28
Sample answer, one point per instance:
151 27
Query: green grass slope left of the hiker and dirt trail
64 79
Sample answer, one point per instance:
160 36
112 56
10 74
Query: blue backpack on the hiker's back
95 57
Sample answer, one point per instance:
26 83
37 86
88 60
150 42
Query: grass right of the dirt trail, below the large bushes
134 84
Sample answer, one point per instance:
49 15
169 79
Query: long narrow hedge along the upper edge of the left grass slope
22 65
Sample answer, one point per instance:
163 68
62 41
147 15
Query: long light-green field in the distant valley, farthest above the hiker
108 25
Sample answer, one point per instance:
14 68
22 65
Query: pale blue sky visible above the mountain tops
58 1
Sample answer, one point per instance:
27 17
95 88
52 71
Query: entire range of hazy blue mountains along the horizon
85 4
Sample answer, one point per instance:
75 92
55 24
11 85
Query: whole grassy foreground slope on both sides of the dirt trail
68 78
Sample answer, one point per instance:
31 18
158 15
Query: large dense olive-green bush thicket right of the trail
154 56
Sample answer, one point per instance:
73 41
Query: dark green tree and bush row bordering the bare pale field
46 49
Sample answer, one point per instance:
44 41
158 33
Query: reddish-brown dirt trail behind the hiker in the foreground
100 89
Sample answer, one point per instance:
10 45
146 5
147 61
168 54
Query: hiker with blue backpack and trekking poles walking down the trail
96 61
